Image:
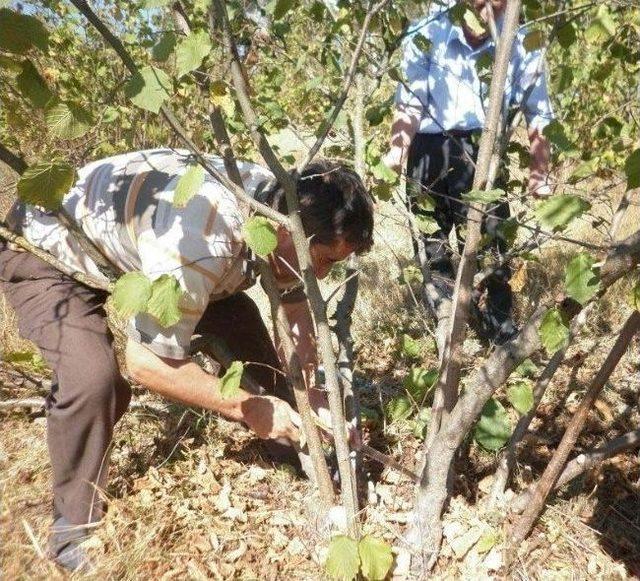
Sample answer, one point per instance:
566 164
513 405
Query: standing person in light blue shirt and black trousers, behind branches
440 112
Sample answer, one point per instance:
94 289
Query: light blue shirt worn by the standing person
443 83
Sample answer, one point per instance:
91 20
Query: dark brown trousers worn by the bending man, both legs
89 395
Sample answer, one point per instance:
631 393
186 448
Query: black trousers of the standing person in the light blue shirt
442 165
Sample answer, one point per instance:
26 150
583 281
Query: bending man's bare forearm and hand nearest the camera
184 381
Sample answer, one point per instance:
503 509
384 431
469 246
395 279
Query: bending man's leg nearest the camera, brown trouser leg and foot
68 323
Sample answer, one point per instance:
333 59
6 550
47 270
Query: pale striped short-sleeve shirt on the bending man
124 205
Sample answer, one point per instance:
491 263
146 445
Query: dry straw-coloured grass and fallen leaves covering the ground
192 497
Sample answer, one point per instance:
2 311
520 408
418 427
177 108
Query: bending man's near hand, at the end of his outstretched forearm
271 418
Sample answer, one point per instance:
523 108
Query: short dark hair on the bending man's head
333 204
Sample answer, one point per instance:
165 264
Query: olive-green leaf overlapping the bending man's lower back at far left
46 184
